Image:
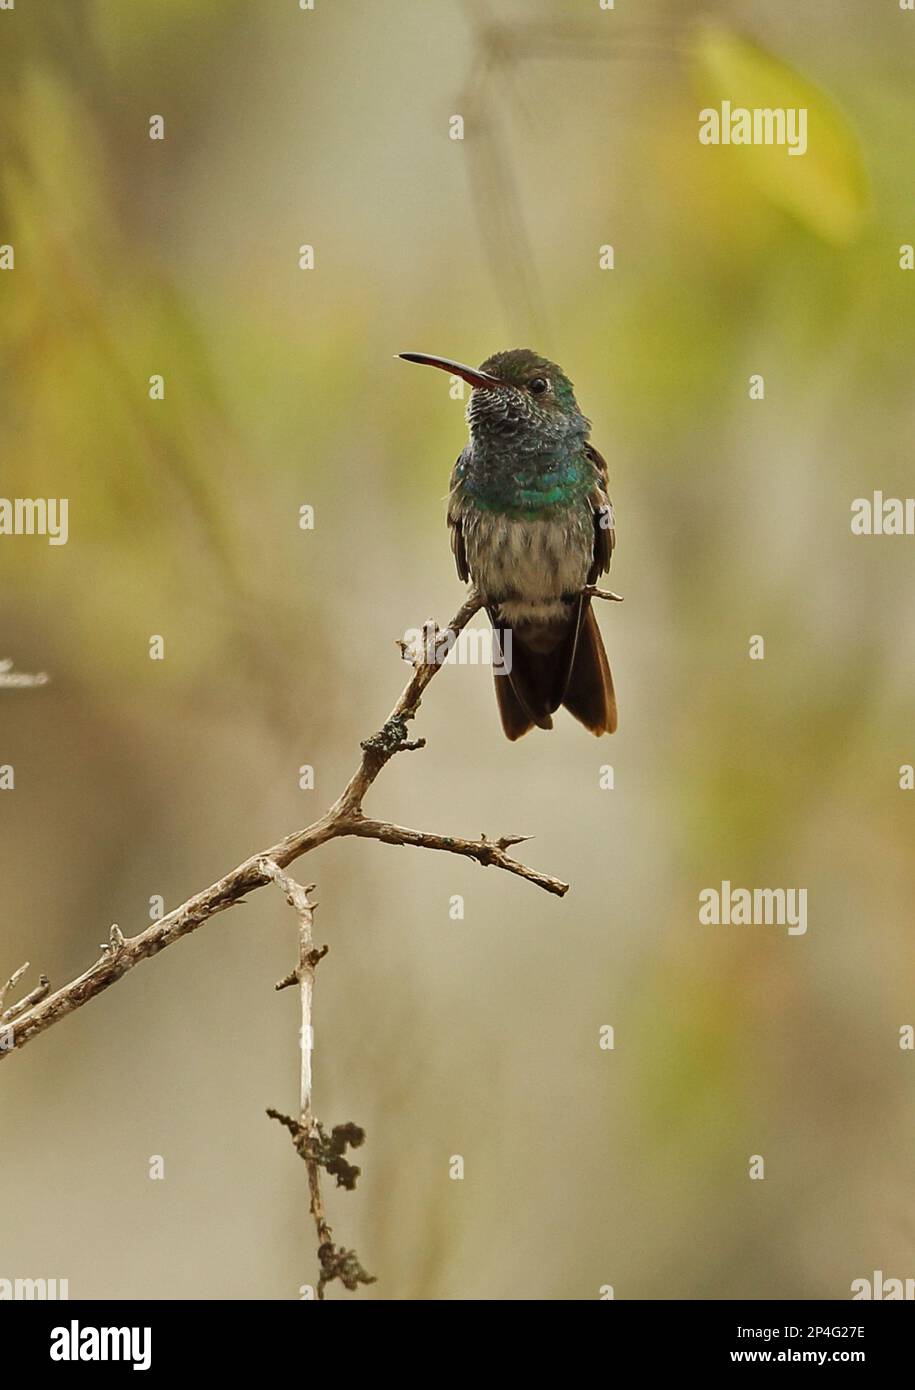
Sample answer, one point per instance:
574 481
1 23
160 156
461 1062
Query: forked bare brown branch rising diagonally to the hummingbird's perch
346 818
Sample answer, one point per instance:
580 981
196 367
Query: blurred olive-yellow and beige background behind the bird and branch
136 778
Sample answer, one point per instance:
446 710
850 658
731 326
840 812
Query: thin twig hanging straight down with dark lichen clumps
308 1136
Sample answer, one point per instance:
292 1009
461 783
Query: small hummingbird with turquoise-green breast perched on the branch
532 526
